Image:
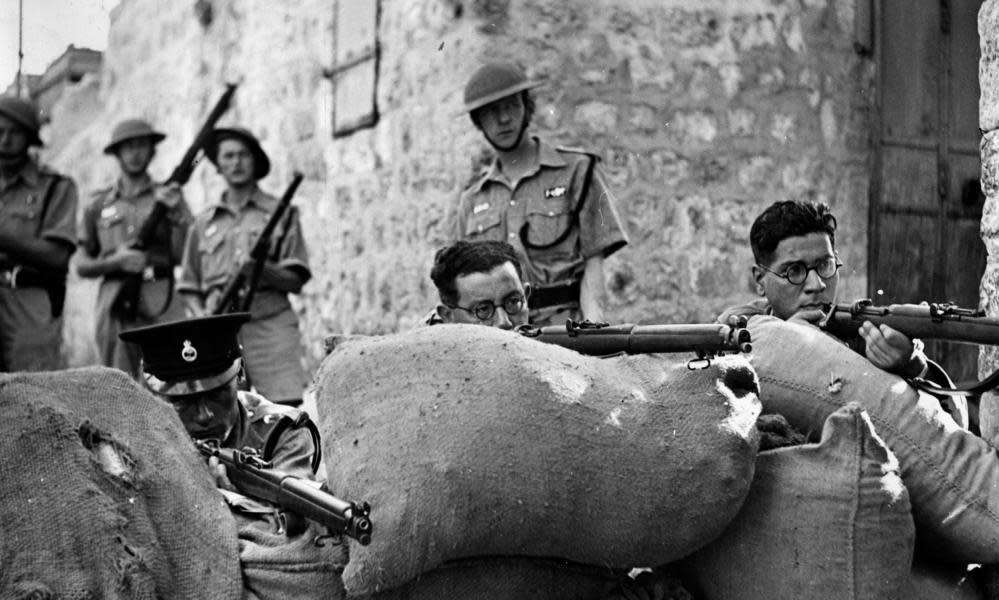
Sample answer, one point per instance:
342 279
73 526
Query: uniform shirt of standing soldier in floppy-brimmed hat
220 242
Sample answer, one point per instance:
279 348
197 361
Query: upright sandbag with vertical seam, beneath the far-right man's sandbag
822 521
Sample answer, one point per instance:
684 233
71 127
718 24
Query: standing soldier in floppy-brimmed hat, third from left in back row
219 244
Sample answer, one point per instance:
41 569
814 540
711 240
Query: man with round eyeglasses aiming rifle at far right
797 270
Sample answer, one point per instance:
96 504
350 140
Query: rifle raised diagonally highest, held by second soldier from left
126 303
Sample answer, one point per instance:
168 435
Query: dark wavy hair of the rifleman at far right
790 218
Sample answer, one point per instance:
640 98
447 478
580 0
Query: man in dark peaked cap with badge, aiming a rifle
195 366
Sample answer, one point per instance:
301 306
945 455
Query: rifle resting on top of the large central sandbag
601 339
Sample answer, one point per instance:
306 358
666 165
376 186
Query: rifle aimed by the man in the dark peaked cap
255 477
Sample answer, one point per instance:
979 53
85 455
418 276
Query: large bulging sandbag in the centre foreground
472 441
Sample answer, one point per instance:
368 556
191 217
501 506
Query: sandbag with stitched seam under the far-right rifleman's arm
951 474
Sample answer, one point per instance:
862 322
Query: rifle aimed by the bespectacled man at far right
933 321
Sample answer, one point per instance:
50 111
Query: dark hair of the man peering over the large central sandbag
462 258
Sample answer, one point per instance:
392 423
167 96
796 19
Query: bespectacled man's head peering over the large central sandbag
479 283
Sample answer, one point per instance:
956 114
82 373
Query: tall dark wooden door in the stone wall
926 202
